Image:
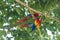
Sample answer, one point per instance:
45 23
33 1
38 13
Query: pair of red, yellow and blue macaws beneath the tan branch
37 21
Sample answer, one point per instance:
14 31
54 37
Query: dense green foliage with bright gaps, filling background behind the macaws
11 11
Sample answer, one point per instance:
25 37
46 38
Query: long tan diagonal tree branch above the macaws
46 15
